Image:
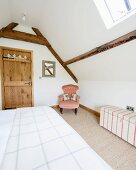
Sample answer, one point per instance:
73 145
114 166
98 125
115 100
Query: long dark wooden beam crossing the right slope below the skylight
119 41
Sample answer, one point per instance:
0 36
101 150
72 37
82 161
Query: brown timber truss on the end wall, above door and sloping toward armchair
8 32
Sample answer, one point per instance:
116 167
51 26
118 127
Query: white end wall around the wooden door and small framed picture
46 90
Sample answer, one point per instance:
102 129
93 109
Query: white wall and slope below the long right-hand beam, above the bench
108 78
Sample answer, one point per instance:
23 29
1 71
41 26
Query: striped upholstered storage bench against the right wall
119 121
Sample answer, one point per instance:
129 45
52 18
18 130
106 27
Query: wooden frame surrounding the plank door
1 72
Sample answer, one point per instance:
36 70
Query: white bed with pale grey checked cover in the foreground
39 139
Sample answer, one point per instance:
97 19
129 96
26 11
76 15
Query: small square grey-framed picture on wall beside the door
48 68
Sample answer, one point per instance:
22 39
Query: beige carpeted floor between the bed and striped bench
117 153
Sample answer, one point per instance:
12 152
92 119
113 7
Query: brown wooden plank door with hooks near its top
17 78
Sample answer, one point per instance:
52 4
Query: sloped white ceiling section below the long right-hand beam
117 64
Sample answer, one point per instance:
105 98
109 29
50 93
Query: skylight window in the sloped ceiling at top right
115 11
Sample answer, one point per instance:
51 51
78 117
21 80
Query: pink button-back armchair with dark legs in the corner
69 104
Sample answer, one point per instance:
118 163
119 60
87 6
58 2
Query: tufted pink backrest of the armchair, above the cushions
70 89
